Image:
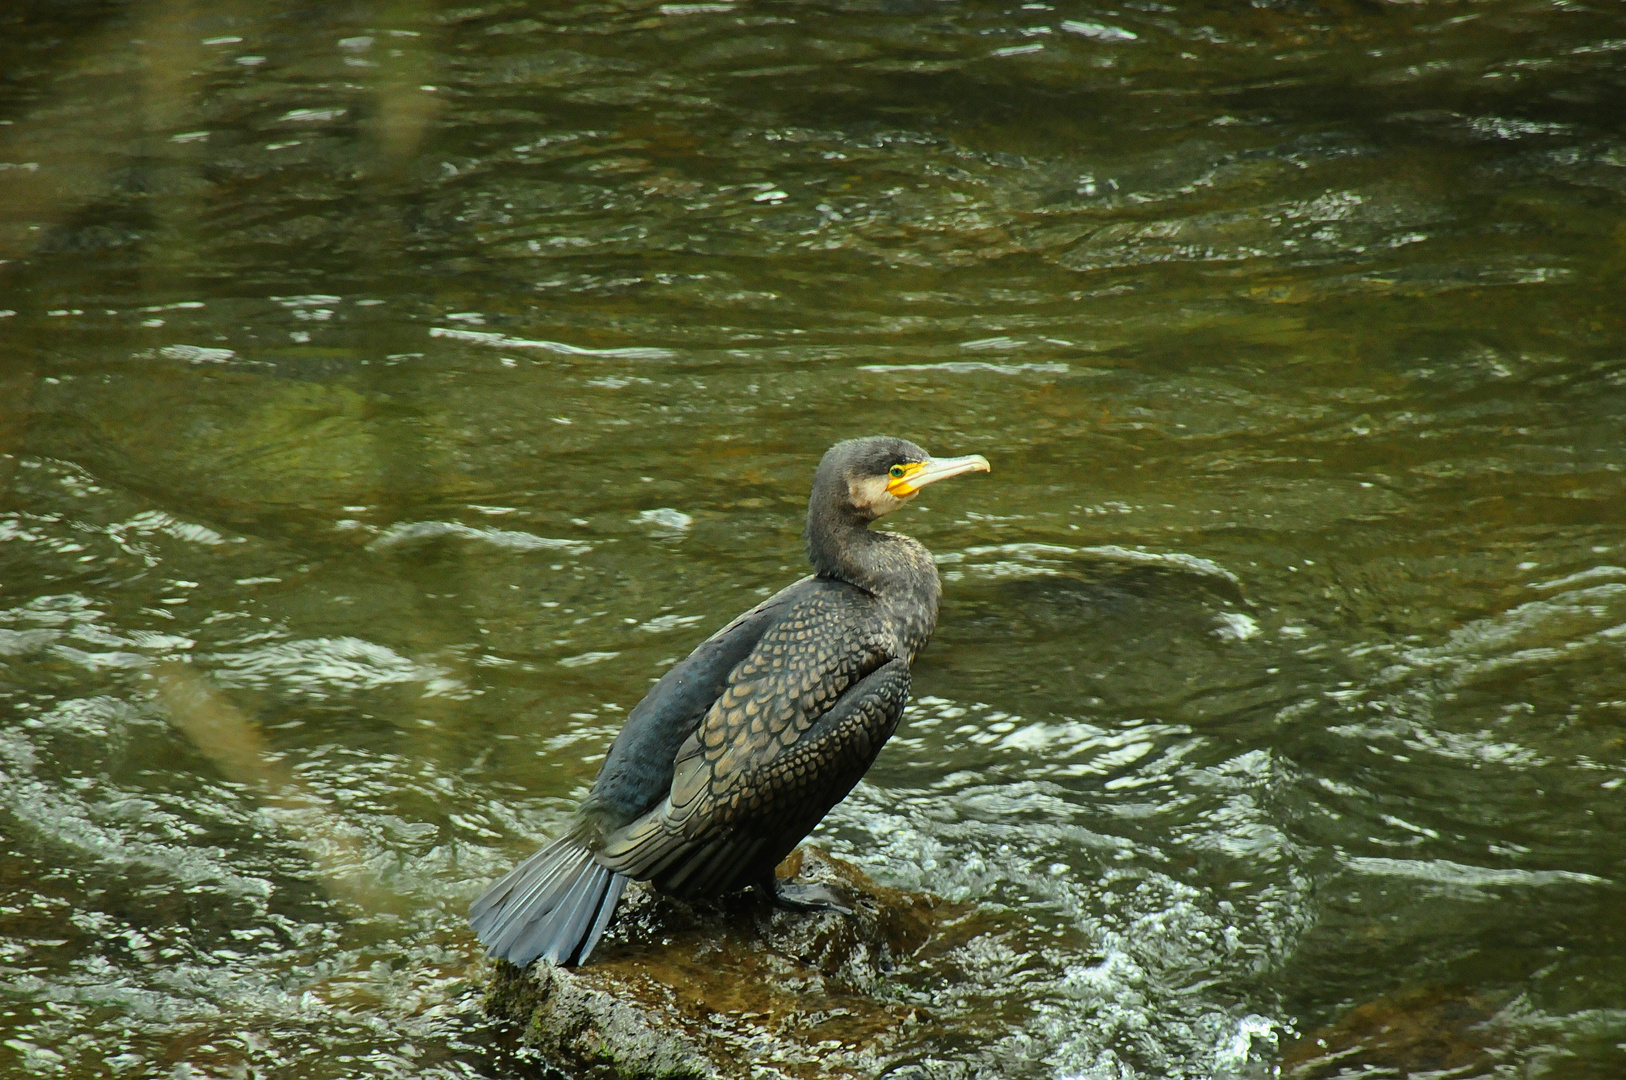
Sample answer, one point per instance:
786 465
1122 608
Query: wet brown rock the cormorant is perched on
744 990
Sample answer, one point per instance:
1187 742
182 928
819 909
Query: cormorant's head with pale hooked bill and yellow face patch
872 477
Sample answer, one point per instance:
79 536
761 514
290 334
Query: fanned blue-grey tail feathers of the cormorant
554 905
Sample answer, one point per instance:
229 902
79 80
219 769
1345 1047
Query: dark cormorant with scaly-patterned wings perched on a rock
746 746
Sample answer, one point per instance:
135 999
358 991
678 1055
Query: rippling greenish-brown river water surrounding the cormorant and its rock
388 393
